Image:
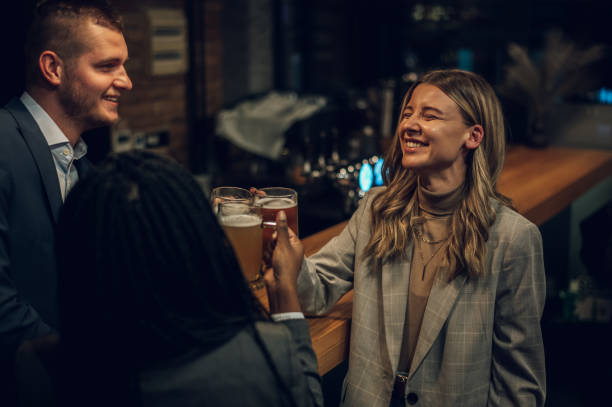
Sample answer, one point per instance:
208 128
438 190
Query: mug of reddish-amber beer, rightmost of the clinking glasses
271 200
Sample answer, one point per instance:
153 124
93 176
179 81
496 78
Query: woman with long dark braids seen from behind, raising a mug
154 309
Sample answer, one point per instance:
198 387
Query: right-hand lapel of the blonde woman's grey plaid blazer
442 297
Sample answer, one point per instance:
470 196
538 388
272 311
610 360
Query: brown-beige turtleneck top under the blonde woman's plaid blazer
432 224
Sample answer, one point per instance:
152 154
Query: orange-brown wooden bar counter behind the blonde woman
541 183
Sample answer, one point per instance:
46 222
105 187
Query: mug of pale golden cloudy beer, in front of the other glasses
242 224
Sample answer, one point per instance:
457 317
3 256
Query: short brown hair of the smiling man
55 27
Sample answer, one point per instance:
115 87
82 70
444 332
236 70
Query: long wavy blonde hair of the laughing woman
391 209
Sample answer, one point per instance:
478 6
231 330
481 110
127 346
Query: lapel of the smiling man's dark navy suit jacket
40 153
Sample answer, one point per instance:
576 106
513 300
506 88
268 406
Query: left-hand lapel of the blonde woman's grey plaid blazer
395 280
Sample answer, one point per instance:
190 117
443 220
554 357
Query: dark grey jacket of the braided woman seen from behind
236 373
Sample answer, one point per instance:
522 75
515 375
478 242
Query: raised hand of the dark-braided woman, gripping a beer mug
281 279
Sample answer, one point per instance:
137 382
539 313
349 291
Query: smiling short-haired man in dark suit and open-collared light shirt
75 55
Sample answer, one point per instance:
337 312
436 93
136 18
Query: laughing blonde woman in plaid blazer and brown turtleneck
449 279
